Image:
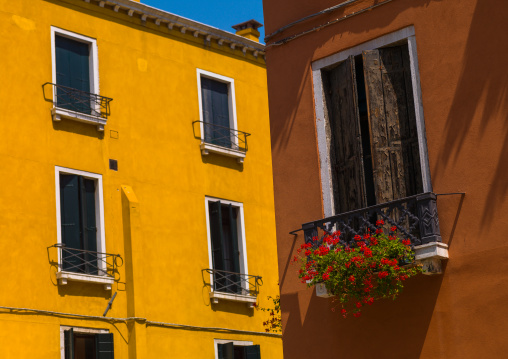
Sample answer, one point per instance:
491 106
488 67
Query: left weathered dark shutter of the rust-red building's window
346 147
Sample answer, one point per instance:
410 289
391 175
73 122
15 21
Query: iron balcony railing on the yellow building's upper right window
224 136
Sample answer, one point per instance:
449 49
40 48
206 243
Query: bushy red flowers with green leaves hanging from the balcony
371 267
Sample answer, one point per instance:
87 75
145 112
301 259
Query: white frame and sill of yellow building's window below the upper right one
242 248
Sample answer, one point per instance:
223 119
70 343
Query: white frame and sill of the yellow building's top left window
93 62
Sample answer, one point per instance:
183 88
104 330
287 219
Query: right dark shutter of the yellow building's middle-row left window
89 224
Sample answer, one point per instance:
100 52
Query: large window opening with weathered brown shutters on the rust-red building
374 152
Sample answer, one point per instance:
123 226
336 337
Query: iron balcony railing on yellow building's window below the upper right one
234 283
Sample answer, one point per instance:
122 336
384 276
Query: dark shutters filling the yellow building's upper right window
215 103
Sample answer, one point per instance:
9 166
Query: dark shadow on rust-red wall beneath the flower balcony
378 330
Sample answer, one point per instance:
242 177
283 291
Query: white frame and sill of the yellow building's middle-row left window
63 276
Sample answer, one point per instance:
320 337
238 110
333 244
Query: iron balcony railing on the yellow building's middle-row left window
87 262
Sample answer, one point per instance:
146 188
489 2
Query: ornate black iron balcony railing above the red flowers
415 218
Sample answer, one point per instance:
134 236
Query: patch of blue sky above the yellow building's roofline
218 13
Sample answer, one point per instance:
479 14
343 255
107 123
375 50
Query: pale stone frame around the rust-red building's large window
405 34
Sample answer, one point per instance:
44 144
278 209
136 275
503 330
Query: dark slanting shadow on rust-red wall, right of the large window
481 95
